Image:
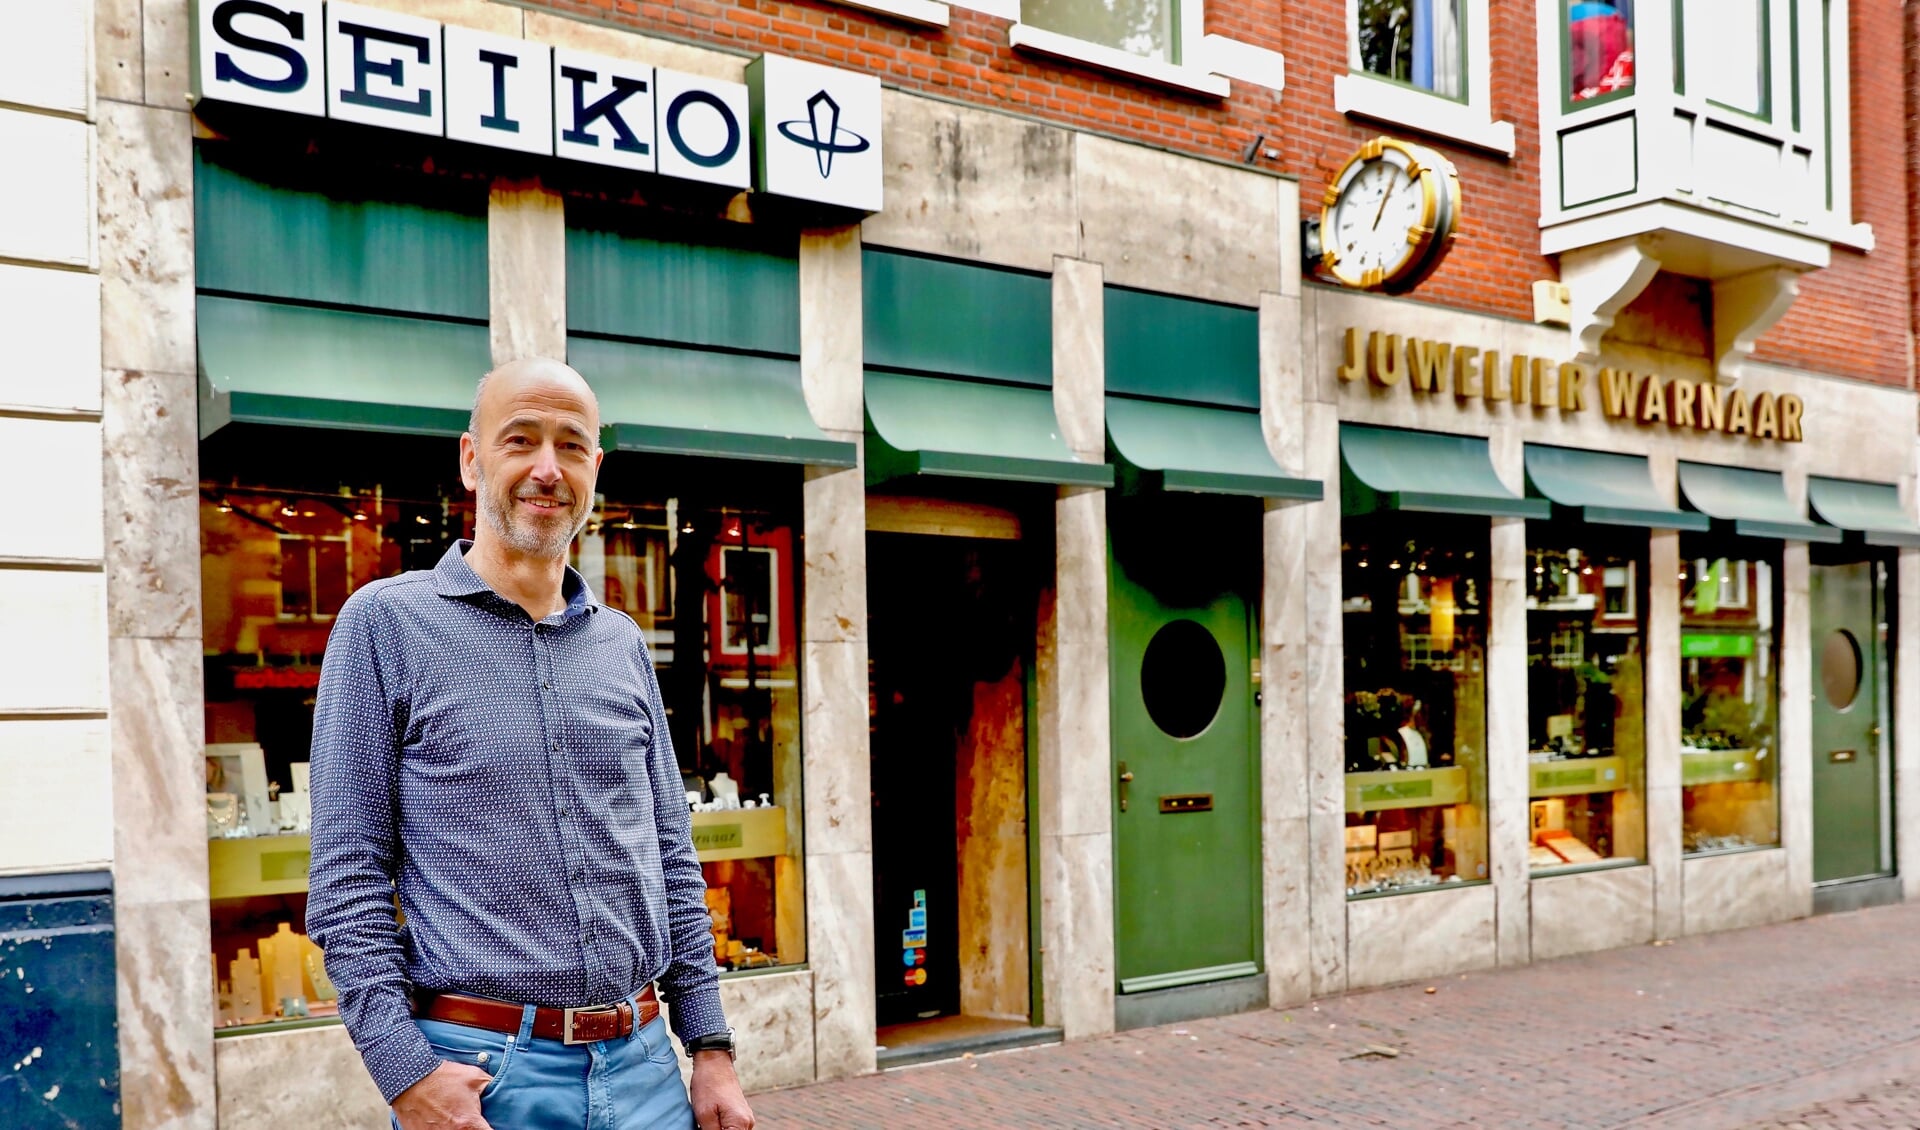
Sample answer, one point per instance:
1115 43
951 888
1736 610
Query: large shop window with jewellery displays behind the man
289 534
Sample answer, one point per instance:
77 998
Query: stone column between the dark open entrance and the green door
1076 768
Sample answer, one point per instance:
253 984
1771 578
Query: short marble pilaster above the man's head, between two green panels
527 271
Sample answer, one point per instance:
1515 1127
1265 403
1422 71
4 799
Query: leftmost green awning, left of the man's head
274 364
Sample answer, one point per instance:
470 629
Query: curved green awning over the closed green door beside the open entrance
1189 448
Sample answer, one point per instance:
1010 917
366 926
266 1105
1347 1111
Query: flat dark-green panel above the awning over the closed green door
1184 350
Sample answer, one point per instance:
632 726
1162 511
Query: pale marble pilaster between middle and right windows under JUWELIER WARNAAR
1666 812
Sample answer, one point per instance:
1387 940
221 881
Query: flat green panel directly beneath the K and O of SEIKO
727 296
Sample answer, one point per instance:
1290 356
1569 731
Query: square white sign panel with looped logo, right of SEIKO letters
817 133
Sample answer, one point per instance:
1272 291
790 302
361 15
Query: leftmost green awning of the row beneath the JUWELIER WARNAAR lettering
1426 473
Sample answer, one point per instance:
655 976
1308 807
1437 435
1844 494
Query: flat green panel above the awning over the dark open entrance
957 319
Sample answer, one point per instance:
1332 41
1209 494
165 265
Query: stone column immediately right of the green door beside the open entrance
1284 661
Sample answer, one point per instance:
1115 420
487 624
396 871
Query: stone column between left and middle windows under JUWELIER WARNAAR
1508 820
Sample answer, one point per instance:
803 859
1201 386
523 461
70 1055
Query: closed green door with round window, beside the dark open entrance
1186 841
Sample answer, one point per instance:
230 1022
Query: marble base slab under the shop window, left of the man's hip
312 1079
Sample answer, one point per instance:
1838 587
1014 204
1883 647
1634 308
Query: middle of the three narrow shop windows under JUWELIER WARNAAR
1585 699
